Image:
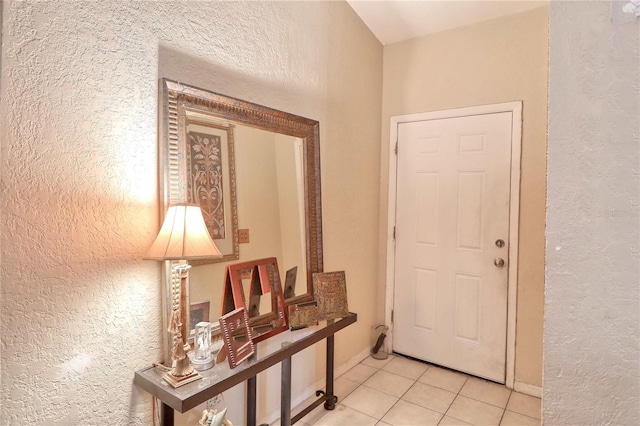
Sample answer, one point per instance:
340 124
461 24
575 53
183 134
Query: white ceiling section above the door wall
393 21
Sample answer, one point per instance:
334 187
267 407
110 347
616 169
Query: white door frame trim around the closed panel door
514 213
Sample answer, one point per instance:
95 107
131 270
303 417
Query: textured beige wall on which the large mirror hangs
80 309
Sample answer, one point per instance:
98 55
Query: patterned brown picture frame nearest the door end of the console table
330 292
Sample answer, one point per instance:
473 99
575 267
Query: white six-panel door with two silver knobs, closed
450 297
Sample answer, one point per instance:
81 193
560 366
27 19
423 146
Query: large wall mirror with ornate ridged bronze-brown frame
272 159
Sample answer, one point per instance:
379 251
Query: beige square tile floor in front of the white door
400 391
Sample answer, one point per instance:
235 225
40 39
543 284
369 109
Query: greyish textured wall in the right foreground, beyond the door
592 300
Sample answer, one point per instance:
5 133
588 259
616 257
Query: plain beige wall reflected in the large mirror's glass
270 204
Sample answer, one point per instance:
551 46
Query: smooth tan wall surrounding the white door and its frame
492 62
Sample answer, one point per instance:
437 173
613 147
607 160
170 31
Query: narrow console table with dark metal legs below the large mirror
220 378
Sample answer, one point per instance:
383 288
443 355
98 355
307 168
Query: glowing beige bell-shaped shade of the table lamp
183 236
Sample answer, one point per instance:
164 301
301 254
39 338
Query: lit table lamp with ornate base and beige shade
183 236
